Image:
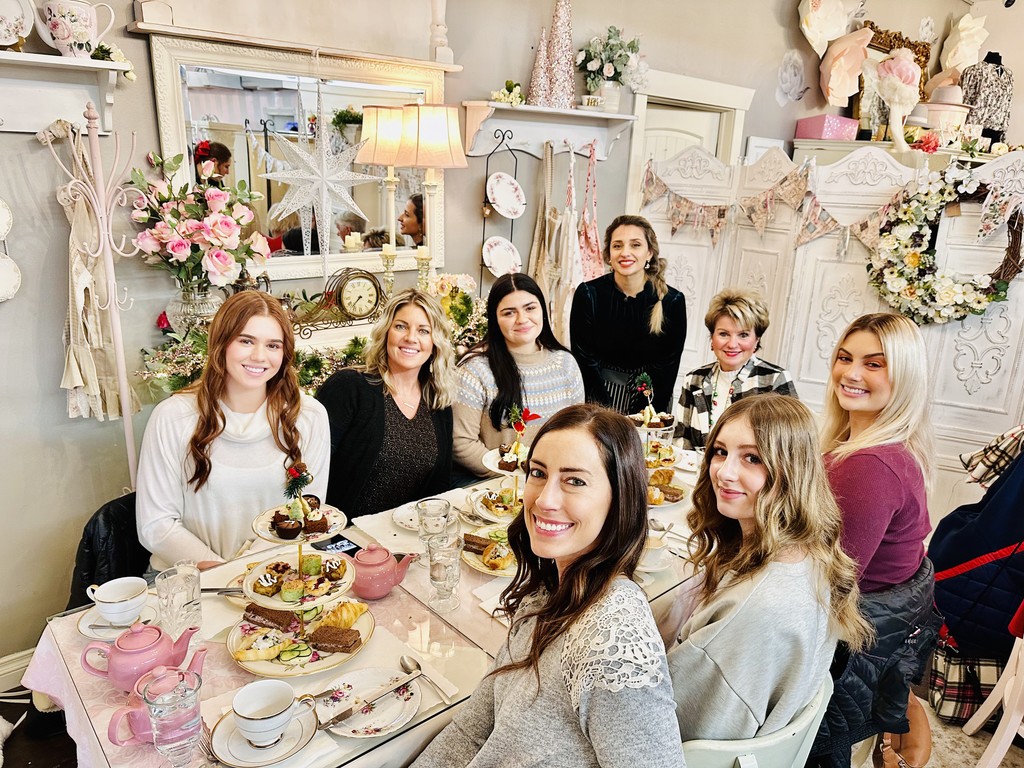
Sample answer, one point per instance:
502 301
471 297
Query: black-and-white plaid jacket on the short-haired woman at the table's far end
757 377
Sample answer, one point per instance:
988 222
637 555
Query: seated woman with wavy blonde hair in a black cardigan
392 420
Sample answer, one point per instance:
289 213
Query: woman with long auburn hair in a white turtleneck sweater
217 454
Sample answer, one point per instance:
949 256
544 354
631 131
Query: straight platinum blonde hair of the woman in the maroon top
906 417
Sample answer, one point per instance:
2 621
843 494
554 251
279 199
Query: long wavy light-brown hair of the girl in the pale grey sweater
795 509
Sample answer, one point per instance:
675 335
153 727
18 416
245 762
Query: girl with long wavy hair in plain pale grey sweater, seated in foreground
760 625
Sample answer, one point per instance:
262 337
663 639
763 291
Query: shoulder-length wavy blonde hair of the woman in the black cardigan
438 374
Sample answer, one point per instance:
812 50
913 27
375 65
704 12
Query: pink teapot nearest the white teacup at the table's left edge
137 652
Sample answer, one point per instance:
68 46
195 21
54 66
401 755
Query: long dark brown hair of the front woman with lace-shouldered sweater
618 549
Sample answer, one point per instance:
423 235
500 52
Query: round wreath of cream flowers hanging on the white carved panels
903 267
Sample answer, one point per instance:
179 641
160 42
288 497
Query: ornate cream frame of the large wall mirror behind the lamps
172 54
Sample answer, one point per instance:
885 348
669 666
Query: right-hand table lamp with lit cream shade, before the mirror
431 139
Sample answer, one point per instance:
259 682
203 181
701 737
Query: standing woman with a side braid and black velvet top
629 322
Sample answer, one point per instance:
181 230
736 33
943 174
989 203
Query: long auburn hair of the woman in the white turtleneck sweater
282 392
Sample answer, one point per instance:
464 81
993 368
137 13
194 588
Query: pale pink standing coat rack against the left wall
104 201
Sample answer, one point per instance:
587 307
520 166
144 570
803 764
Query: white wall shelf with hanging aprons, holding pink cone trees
532 126
